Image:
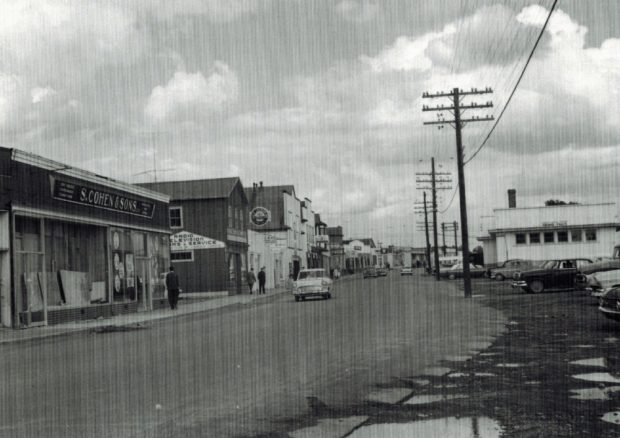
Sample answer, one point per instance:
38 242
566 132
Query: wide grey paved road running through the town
238 371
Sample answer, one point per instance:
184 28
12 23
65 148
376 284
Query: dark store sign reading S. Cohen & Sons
79 194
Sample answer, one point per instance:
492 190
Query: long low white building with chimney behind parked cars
550 232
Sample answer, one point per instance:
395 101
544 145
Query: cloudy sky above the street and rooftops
322 94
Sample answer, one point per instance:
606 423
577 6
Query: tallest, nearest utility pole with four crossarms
457 108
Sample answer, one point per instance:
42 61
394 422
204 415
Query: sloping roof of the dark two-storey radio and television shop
216 188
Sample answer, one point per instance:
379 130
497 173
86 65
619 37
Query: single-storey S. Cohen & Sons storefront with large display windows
75 245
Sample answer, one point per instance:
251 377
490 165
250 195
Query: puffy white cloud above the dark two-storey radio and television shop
188 96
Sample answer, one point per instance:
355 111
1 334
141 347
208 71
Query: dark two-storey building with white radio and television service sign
213 214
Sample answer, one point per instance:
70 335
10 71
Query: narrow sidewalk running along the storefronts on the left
187 306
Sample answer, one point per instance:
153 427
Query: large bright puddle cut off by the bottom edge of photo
476 427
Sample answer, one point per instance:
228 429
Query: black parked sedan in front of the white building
552 274
